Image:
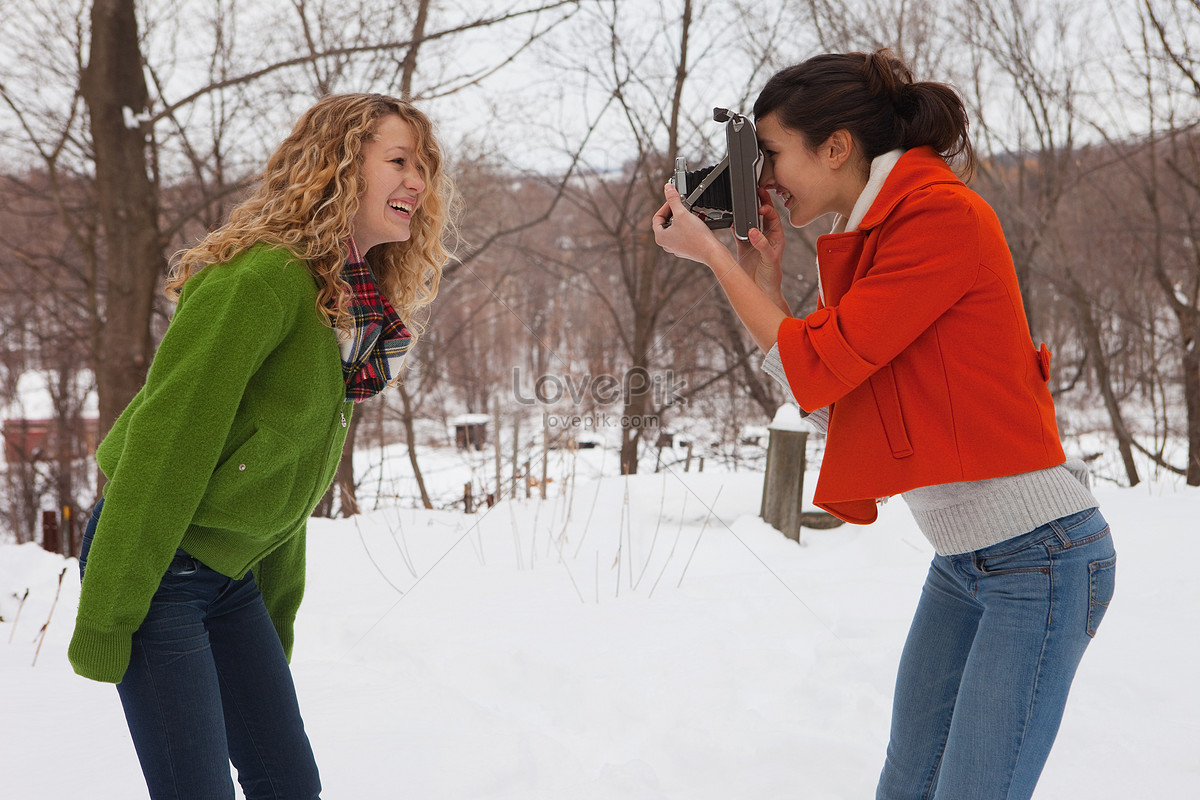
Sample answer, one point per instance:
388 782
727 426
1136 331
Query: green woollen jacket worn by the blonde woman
225 453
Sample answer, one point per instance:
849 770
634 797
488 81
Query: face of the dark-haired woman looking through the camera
812 183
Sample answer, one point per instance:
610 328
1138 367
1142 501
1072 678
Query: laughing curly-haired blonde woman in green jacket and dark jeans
194 563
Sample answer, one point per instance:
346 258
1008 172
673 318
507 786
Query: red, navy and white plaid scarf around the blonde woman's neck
374 353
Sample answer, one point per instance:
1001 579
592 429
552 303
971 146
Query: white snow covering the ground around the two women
627 639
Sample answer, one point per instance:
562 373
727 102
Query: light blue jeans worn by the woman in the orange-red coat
989 661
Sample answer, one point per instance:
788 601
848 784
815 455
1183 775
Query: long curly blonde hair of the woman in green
309 197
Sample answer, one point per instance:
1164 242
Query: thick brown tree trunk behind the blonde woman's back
115 88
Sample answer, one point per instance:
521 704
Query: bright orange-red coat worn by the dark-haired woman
922 348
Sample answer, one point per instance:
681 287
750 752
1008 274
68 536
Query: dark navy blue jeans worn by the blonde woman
208 683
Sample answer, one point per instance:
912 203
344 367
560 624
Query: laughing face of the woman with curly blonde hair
394 185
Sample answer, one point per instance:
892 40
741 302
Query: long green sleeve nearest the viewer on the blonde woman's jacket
224 329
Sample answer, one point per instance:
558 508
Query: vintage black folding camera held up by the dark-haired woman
725 195
